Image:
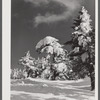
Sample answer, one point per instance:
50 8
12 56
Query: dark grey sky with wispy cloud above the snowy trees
33 20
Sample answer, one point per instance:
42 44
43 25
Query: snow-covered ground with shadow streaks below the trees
38 89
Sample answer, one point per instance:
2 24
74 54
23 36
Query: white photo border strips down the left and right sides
6 48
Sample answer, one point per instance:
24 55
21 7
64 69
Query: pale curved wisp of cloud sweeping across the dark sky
71 6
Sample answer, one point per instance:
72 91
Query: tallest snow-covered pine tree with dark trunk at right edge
83 44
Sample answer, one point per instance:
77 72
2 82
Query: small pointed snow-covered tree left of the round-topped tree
29 65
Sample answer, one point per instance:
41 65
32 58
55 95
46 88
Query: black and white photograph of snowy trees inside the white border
53 50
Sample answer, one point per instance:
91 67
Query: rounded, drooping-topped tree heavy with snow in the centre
56 55
